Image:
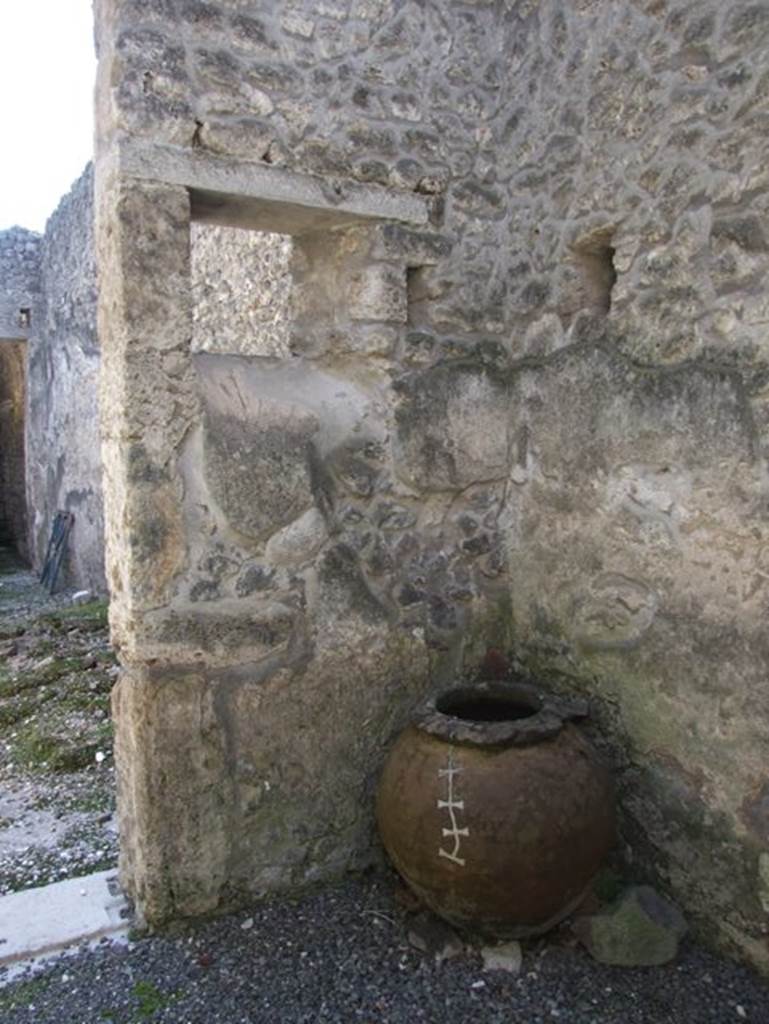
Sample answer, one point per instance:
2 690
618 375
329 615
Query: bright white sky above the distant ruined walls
48 70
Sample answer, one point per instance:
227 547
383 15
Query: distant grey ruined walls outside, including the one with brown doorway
51 448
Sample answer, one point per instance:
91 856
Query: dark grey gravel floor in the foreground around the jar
343 956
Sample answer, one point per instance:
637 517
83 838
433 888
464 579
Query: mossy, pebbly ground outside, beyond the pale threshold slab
57 774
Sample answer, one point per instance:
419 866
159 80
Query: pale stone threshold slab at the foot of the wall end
55 918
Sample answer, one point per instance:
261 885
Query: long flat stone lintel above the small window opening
240 194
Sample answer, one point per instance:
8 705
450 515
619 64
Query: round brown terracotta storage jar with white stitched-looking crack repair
496 809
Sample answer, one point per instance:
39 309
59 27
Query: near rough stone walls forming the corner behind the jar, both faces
532 416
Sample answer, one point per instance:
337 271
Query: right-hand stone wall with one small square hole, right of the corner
637 523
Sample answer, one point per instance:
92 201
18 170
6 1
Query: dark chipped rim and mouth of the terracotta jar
499 714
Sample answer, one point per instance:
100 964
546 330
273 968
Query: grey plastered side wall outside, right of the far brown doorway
63 440
